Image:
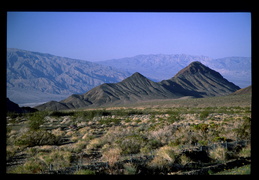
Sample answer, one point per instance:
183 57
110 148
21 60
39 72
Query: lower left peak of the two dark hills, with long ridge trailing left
134 88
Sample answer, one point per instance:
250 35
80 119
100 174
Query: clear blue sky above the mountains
96 36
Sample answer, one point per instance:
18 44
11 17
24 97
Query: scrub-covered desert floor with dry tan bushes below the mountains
167 137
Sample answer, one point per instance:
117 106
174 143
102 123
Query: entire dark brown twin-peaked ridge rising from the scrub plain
195 80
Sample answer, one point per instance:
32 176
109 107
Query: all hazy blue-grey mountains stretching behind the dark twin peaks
34 78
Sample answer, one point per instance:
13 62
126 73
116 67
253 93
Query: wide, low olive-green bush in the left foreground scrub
34 138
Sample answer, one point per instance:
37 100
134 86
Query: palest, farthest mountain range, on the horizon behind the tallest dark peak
160 66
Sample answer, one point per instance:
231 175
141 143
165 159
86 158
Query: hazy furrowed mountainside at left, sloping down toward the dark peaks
37 77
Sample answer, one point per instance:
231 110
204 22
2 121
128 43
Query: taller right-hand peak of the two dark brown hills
200 81
